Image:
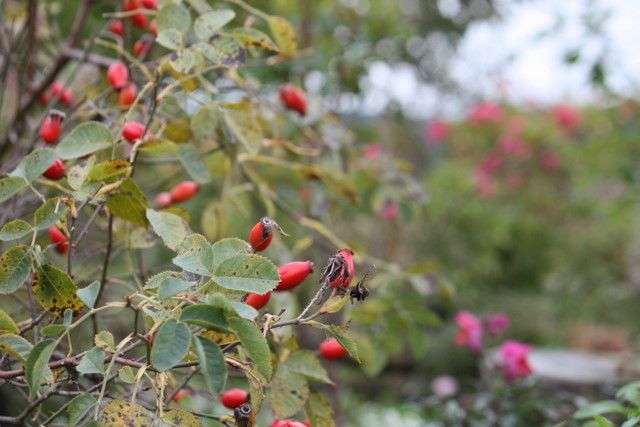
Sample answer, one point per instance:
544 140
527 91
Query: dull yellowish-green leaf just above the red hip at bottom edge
289 392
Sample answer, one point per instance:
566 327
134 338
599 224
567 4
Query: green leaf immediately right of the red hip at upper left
84 139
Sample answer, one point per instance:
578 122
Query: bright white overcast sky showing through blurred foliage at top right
520 58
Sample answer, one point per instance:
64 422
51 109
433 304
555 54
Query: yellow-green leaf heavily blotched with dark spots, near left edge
55 291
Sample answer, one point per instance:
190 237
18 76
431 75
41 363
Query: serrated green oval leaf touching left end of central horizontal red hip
250 273
